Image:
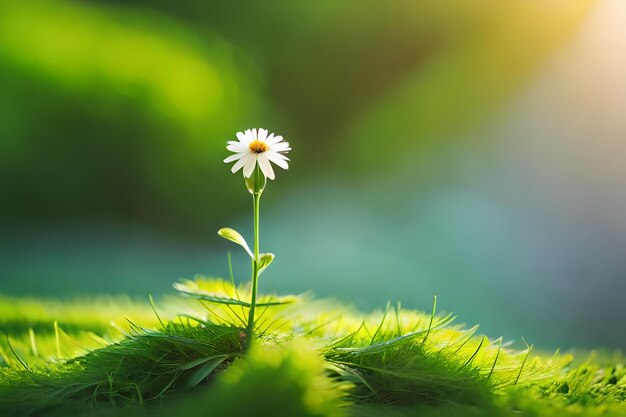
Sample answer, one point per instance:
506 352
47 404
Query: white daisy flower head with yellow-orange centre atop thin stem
256 146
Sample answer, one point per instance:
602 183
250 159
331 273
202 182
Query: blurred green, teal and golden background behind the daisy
475 150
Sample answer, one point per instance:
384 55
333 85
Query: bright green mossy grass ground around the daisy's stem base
186 356
